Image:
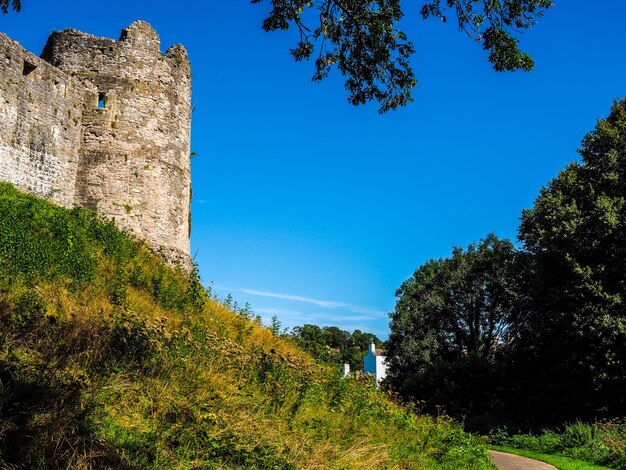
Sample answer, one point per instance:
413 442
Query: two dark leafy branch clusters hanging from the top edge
361 39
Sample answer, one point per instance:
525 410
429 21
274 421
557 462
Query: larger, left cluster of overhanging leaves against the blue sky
359 38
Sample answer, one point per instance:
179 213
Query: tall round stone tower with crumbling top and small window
134 157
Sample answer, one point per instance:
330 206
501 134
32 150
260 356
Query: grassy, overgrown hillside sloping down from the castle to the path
108 359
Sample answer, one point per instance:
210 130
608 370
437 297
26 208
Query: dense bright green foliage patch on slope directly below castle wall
40 241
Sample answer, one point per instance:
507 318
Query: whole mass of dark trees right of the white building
532 336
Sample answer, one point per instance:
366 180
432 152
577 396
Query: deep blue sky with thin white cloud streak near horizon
316 211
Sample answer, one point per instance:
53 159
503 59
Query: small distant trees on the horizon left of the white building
332 345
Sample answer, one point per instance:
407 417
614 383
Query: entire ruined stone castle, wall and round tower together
103 124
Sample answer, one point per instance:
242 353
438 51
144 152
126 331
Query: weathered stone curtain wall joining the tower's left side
41 110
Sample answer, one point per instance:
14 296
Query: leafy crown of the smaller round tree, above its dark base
455 306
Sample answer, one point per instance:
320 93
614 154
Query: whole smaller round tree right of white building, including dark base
450 323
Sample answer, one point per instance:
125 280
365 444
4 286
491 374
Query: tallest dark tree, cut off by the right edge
572 310
